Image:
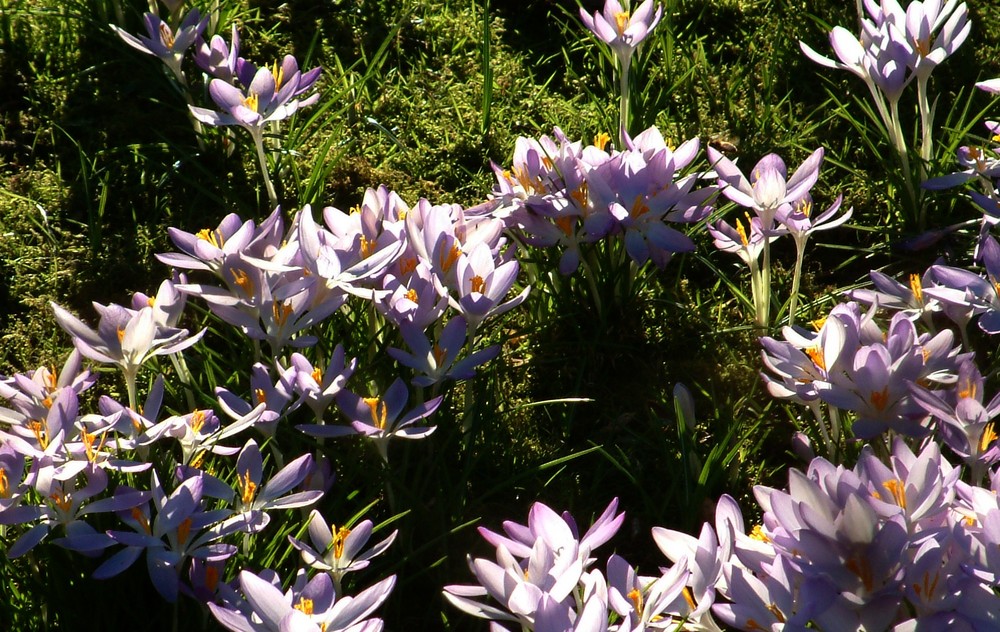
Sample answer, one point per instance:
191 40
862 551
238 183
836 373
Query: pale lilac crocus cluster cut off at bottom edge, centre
543 580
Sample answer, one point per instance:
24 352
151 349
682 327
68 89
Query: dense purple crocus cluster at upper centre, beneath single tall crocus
561 193
